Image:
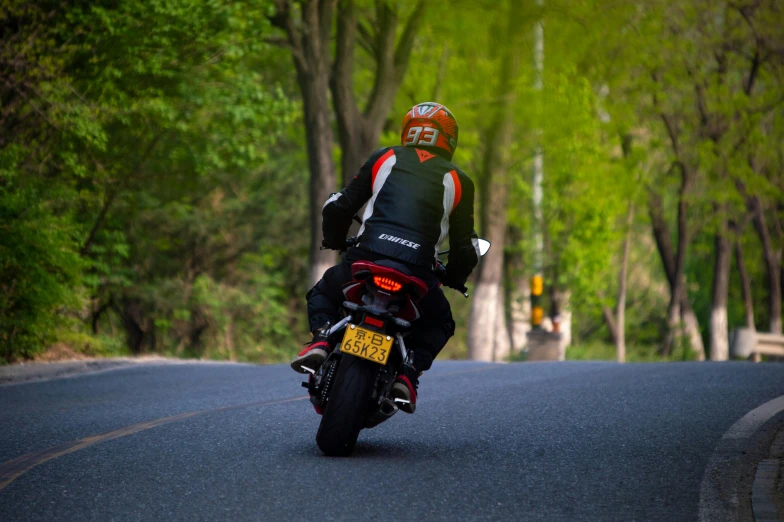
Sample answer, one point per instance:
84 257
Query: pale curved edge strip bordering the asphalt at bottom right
717 503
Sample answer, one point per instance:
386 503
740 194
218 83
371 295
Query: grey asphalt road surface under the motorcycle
542 441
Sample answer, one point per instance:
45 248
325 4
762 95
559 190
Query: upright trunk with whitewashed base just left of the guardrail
719 333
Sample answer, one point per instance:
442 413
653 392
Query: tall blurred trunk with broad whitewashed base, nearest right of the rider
487 313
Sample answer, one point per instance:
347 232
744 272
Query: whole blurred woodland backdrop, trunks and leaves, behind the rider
163 165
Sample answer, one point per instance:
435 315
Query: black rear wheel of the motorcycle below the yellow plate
349 400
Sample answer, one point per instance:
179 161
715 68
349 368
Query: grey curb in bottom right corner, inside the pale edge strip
767 493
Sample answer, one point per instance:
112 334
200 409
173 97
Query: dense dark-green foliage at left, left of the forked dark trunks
123 114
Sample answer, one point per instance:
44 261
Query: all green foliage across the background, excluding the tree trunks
153 168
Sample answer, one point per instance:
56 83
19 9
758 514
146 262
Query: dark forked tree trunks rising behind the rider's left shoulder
309 37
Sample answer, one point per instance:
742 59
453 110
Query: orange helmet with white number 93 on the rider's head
430 124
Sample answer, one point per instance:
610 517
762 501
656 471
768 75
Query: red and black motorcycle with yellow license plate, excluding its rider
351 389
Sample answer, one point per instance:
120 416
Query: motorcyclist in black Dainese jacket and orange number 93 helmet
416 198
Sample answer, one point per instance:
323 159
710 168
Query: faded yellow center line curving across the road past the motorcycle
13 469
